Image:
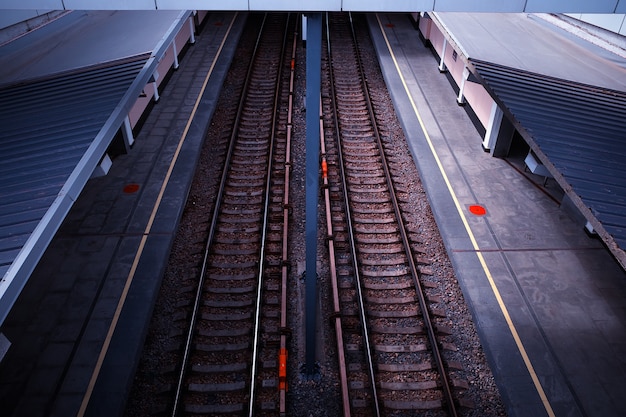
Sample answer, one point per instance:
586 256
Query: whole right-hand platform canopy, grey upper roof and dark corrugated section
566 95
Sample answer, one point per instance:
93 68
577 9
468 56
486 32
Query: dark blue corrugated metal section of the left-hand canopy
46 126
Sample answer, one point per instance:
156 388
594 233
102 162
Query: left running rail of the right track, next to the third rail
350 229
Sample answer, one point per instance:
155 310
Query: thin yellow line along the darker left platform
131 274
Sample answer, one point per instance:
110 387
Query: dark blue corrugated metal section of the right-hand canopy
580 128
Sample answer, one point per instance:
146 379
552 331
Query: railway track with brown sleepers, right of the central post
392 345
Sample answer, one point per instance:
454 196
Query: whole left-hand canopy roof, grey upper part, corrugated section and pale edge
59 111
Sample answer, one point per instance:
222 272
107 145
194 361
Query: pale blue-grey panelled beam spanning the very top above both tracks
510 6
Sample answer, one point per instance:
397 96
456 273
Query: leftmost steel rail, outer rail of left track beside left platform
212 230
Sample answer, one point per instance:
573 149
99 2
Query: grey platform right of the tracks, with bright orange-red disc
548 301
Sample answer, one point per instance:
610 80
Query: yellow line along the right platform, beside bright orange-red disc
496 292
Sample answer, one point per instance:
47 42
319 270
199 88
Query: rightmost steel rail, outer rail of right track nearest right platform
447 391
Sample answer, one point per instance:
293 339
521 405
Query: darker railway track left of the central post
232 356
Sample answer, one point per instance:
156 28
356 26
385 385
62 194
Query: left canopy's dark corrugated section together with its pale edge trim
81 109
